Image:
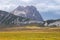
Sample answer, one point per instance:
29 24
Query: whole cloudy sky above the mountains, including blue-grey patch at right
49 9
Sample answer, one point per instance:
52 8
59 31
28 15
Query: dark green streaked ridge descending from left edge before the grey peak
7 18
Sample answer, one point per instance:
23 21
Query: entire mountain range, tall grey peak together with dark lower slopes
22 14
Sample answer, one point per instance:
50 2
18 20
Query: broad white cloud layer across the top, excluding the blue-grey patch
42 5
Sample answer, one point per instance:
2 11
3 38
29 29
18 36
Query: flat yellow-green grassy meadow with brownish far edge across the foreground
41 34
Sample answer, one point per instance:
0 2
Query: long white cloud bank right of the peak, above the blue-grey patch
44 7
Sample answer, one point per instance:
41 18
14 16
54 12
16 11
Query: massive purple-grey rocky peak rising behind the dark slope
28 12
